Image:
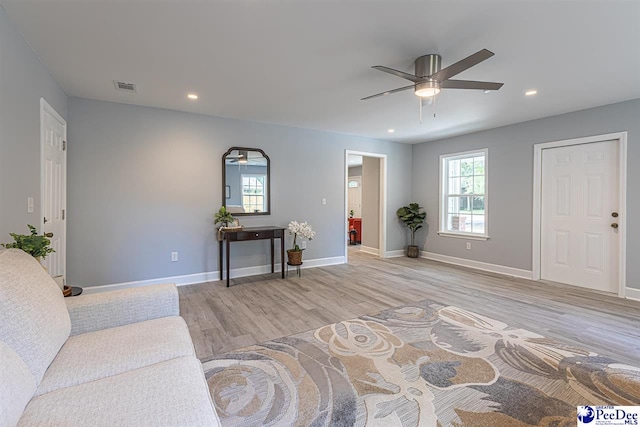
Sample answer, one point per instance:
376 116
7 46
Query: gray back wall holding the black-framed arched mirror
144 182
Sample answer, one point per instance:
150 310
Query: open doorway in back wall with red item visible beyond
365 203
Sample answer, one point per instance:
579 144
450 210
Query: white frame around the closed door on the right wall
621 138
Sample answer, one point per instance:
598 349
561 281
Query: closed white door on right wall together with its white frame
579 212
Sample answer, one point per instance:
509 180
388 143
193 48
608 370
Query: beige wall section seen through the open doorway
371 202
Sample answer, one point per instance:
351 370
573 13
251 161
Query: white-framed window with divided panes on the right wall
463 205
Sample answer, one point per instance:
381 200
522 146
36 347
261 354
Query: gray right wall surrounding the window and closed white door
510 173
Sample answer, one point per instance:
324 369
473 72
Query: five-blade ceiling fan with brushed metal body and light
429 79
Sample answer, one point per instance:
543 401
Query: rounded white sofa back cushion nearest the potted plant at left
35 322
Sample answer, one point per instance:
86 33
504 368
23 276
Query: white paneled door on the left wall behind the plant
54 188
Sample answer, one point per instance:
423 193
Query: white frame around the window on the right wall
443 195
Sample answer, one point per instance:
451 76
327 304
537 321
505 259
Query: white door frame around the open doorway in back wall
382 231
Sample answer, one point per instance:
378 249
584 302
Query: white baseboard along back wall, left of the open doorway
211 276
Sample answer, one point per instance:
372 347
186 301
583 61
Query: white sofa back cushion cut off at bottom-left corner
17 386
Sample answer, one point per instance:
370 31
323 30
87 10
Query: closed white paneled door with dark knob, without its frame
579 244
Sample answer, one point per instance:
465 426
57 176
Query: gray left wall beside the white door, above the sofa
23 81
